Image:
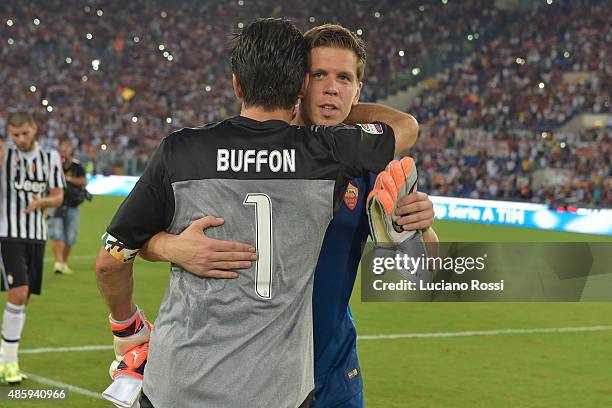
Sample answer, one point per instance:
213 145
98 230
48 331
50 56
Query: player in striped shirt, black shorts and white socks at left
32 180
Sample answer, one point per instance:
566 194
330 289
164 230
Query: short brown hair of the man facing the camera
336 36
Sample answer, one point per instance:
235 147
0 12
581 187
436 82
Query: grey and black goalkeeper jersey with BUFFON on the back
247 342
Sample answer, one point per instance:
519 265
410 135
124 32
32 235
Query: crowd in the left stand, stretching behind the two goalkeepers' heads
110 79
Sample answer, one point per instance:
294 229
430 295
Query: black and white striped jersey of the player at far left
24 175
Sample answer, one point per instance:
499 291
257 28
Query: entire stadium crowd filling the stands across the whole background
116 84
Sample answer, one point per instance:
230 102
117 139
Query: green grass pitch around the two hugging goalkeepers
534 369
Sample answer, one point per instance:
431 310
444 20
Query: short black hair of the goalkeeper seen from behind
269 59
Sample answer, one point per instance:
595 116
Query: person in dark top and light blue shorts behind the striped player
63 221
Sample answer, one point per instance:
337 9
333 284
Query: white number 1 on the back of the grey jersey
263 234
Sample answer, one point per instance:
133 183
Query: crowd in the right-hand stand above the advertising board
495 120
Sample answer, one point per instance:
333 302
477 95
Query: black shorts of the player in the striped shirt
23 264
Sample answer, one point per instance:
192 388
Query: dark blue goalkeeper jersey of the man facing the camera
337 371
